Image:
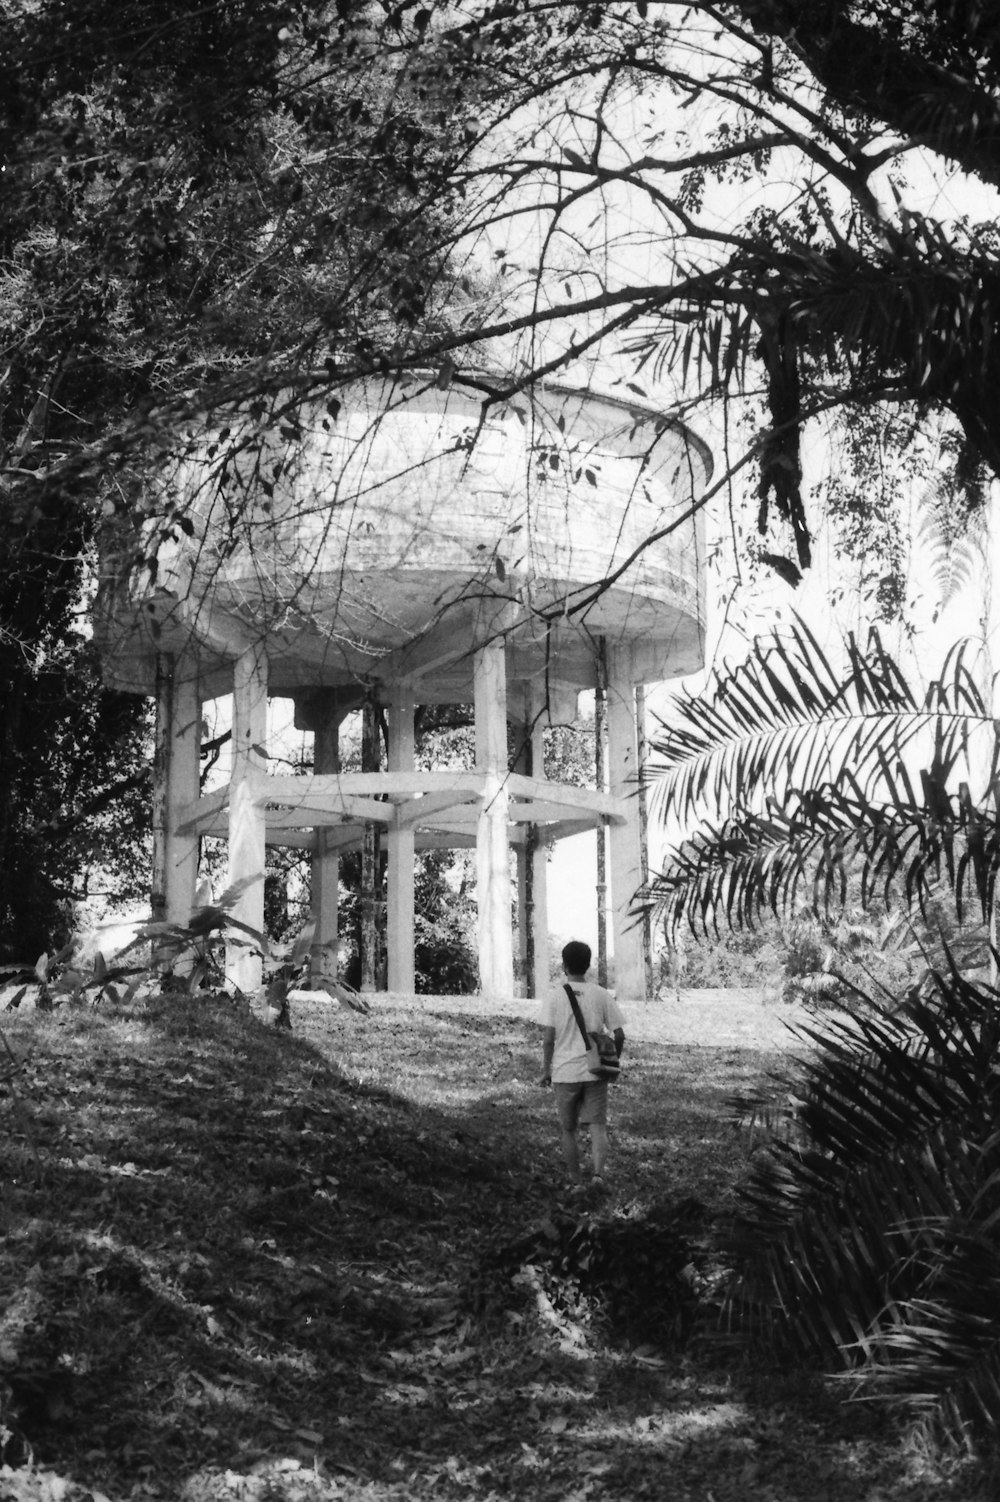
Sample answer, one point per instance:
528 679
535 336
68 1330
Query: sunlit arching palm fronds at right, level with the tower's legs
792 773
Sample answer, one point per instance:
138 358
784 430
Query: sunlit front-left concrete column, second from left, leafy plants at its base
247 813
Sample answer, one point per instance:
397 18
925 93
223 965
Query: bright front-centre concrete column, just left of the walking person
493 852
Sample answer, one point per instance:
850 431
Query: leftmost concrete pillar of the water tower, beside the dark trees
175 785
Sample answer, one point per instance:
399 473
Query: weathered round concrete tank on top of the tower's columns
406 513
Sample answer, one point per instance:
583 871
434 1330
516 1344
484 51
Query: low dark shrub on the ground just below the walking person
643 1271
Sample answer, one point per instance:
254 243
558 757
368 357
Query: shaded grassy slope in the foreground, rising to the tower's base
239 1264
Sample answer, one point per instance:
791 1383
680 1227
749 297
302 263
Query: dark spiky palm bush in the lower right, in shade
869 1229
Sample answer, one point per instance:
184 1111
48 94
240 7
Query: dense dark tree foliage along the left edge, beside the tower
197 205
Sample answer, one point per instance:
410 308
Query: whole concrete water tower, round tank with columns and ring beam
411 544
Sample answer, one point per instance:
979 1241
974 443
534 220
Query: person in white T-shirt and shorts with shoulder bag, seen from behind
580 1099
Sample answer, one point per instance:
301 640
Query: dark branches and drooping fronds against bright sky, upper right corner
785 210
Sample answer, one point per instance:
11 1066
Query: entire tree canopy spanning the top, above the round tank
753 207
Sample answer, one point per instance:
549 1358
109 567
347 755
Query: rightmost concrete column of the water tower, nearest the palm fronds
625 839
